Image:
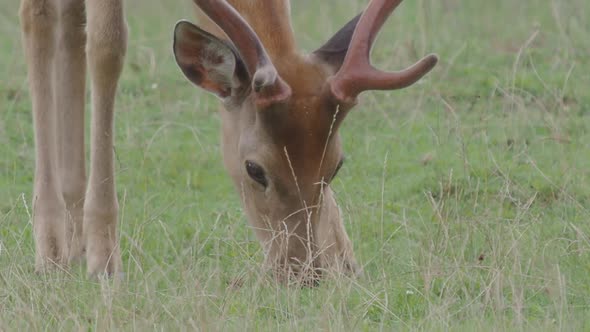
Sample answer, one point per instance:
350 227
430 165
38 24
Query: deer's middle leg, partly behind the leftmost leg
70 85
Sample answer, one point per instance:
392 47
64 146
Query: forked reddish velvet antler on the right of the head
357 74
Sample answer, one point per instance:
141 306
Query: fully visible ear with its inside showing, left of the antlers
208 61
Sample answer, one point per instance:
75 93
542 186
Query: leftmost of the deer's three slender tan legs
39 23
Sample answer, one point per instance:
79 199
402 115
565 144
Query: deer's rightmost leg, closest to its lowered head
106 45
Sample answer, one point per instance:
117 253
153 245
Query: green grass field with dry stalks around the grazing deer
466 196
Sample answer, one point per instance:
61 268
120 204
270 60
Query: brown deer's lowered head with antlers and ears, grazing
282 113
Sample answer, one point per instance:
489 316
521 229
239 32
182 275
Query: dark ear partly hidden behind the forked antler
335 49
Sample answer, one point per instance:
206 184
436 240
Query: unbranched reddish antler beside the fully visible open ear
268 86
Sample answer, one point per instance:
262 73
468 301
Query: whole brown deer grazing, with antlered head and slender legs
280 137
